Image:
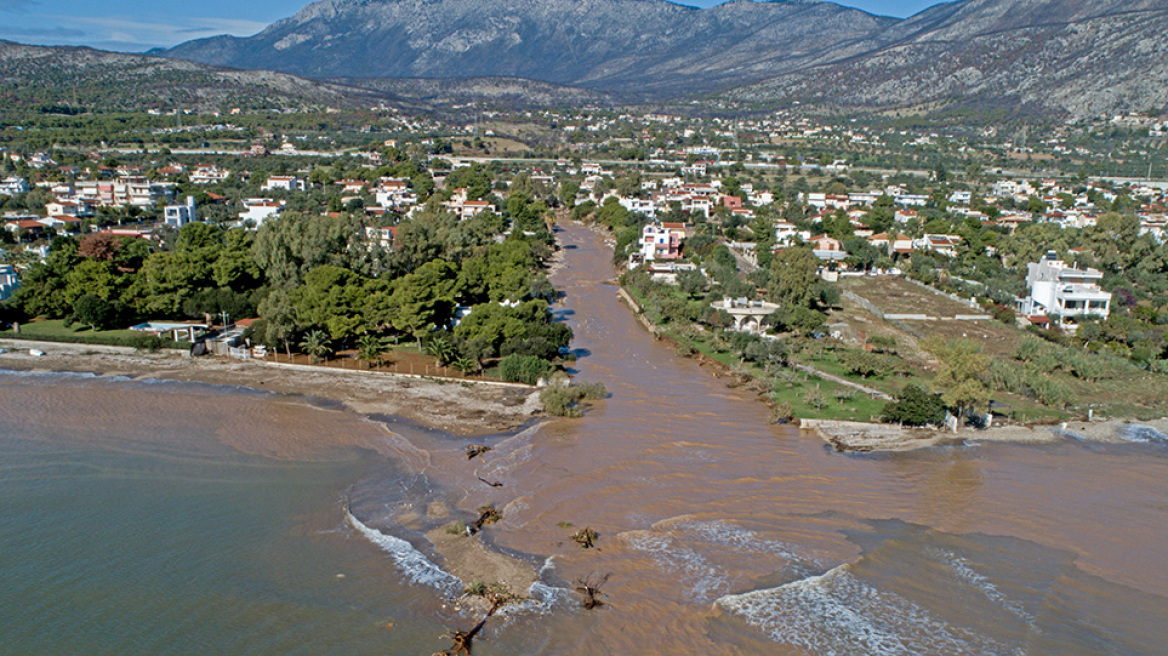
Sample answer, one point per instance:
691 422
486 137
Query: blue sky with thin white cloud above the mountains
140 25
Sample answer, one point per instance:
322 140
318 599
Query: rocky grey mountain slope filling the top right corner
1060 59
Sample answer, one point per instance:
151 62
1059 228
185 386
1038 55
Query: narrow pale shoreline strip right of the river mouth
860 437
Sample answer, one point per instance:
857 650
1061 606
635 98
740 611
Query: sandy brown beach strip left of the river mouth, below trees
461 408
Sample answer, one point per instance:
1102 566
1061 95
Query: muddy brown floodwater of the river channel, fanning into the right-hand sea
724 535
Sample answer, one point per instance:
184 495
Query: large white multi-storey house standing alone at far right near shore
1066 291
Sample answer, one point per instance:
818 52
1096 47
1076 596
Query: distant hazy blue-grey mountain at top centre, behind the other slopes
634 47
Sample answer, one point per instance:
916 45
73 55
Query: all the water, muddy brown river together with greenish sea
719 533
